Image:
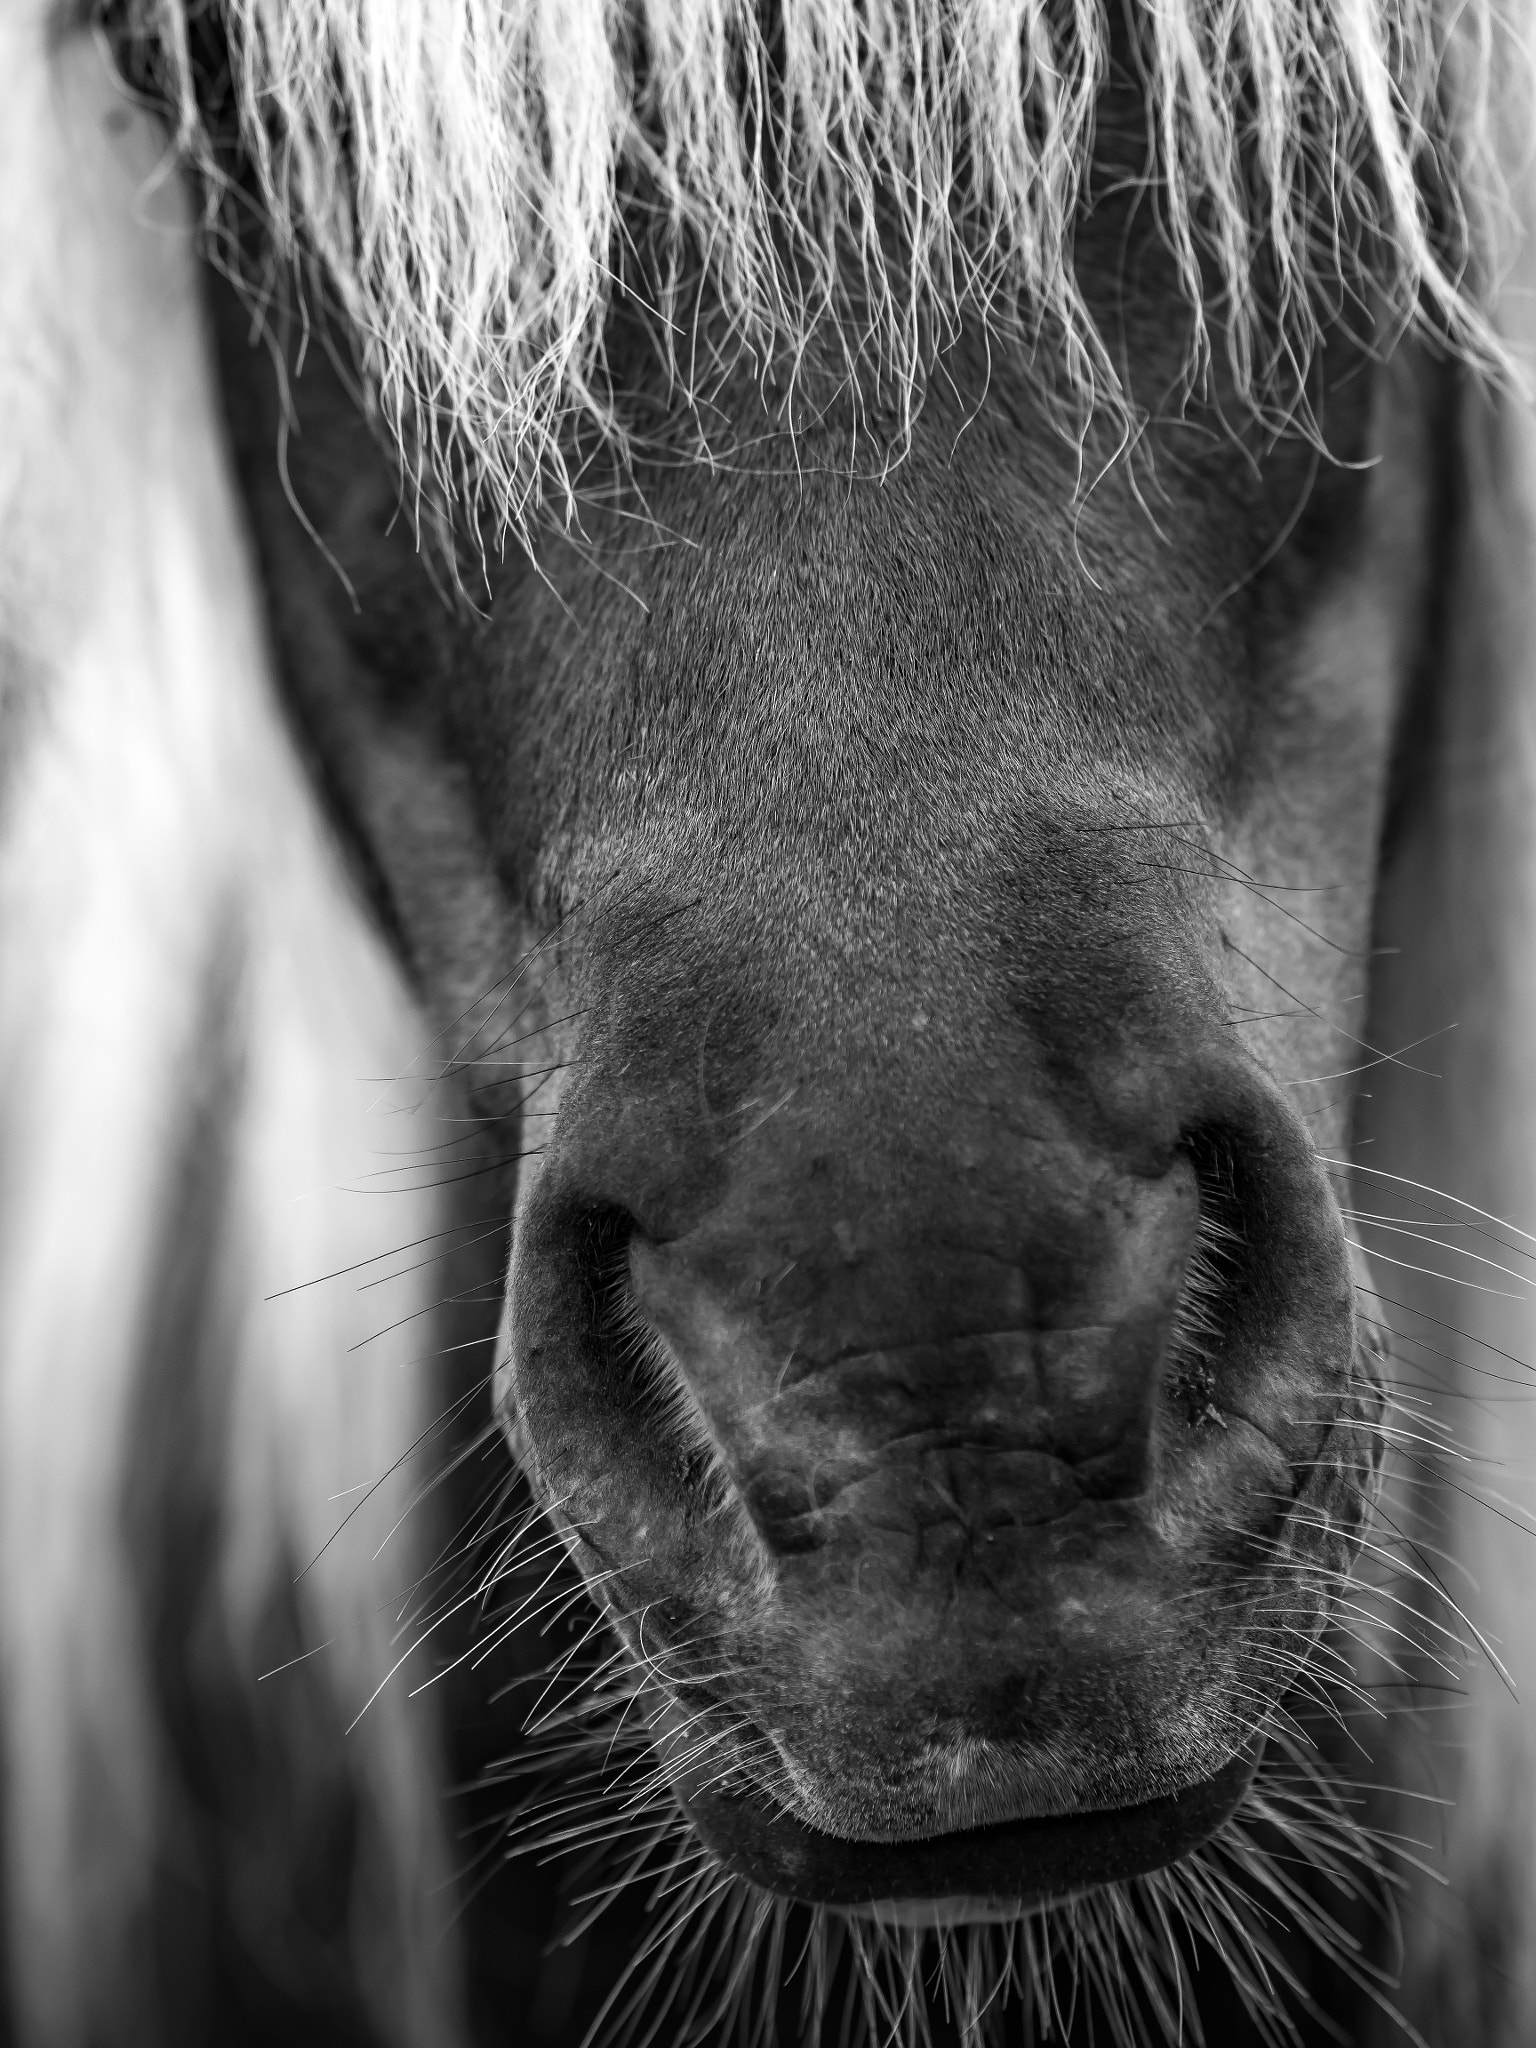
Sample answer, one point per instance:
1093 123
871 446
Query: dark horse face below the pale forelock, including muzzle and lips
916 931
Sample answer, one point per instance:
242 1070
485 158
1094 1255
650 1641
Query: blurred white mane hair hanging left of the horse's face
153 812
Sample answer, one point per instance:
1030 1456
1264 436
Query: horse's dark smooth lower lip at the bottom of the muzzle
994 1871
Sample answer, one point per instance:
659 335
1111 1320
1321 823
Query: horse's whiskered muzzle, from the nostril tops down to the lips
957 1488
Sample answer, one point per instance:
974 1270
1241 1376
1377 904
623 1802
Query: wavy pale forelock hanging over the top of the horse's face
460 171
